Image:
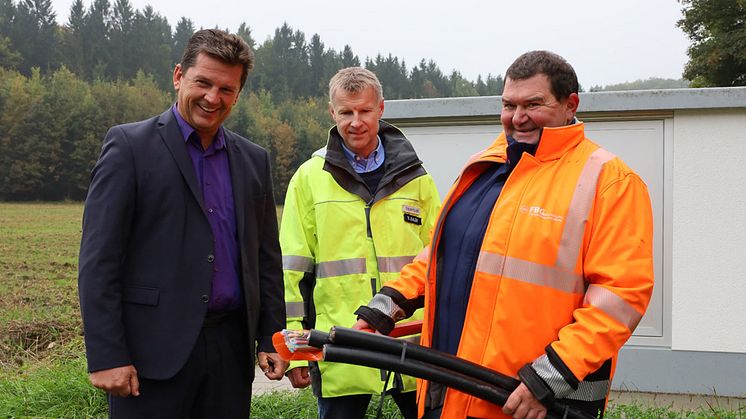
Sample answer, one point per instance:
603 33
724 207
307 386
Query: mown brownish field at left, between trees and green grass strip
38 287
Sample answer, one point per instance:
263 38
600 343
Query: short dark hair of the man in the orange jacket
562 77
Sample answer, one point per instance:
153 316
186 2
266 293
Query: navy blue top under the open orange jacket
461 241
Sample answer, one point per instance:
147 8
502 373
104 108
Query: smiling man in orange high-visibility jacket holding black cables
541 260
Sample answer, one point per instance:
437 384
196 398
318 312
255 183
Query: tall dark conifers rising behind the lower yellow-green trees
113 41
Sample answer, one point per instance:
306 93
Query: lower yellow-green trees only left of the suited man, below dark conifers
51 129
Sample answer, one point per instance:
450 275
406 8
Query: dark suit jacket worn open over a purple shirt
146 252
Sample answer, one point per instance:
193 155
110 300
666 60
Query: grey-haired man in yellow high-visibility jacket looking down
355 213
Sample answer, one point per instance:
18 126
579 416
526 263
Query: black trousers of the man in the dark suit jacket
215 382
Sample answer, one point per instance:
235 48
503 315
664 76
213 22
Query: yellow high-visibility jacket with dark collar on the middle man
340 244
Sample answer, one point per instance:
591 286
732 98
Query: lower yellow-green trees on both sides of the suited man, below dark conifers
51 129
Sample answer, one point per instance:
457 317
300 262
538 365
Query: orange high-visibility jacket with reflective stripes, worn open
564 275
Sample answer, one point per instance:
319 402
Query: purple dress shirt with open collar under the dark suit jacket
213 174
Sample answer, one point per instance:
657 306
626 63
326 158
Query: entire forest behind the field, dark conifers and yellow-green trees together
63 86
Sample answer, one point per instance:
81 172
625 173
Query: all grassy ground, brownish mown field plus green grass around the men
42 363
